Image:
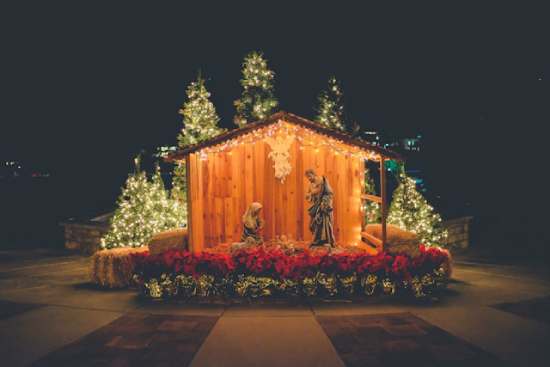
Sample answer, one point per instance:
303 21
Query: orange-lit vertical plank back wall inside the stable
224 184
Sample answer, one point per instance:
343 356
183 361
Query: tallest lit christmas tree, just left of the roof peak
257 100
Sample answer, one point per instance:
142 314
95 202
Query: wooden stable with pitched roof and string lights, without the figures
229 172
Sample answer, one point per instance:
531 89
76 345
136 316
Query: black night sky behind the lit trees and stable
85 87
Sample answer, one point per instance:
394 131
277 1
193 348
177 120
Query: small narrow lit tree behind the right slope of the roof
331 108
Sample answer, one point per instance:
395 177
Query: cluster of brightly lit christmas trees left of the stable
144 209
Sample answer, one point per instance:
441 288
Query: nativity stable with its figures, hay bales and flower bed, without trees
276 208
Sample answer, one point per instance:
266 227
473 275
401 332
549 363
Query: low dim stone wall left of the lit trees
84 237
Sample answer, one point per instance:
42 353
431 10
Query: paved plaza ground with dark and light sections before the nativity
50 316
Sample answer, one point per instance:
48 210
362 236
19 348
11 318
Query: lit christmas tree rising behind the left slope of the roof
200 120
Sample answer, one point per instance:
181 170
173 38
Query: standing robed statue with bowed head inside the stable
320 195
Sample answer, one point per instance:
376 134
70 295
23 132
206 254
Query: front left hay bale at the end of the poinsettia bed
114 268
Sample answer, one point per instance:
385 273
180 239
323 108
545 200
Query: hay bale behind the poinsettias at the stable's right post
397 239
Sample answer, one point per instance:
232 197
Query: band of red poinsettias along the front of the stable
278 264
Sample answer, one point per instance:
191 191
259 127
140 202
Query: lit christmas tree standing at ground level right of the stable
410 211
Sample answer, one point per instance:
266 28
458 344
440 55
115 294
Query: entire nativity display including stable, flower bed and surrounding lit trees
276 207
